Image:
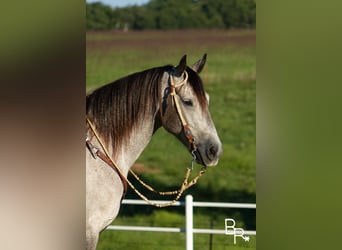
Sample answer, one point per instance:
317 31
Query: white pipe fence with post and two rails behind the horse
189 230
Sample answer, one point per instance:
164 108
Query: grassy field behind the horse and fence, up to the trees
230 79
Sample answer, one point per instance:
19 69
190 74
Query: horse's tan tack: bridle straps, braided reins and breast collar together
106 157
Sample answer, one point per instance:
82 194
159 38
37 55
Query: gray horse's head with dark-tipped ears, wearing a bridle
185 112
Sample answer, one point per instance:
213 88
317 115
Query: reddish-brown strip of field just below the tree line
162 38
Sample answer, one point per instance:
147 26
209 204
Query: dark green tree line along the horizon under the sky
173 14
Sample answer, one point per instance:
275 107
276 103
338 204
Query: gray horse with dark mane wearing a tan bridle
125 114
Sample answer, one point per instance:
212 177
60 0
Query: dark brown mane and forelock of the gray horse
116 108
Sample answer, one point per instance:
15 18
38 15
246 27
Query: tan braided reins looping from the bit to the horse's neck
185 185
